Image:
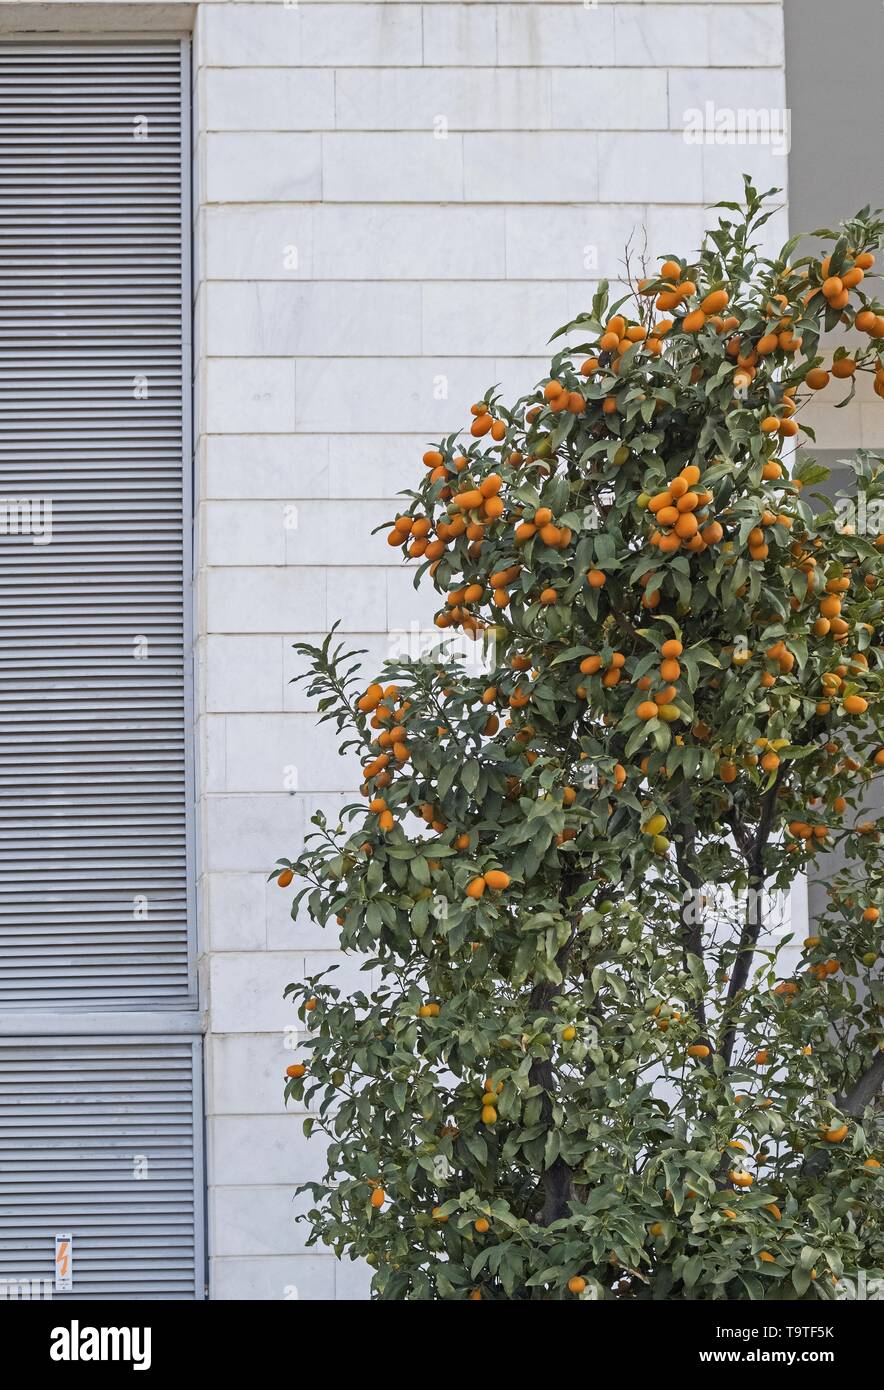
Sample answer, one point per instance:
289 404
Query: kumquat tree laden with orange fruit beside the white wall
583 1074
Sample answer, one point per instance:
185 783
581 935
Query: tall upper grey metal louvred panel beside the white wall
94 420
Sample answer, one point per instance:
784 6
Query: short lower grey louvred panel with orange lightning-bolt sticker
98 1142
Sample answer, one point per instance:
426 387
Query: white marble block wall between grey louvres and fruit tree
359 283
